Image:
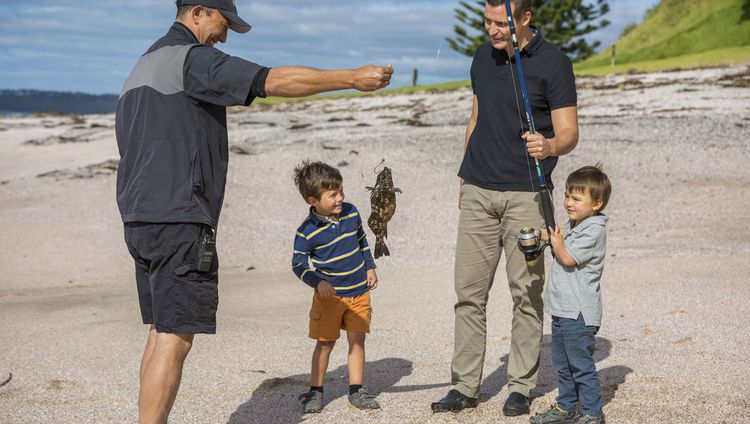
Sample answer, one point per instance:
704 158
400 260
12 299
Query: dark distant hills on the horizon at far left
29 101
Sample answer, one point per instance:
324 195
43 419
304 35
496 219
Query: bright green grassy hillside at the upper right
716 30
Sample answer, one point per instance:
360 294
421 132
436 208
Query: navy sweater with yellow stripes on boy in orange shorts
338 250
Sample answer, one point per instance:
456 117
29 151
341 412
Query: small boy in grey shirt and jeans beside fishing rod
573 298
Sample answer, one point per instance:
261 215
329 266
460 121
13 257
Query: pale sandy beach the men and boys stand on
673 347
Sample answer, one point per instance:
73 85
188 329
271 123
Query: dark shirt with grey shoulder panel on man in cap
171 129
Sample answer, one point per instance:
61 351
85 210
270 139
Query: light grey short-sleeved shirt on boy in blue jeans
571 290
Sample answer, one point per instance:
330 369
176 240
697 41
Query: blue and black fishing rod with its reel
528 241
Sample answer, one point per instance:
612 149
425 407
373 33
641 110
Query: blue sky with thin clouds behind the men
91 45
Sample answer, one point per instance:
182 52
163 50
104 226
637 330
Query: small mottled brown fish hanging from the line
383 206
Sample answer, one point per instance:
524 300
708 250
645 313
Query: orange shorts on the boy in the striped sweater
329 315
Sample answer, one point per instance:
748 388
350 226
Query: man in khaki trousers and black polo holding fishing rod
499 196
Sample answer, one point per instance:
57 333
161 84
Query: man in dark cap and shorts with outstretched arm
172 136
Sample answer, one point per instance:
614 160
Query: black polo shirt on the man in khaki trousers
496 157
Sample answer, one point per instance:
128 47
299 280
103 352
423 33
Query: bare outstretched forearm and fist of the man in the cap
300 81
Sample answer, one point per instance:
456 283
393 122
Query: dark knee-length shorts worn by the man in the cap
173 295
